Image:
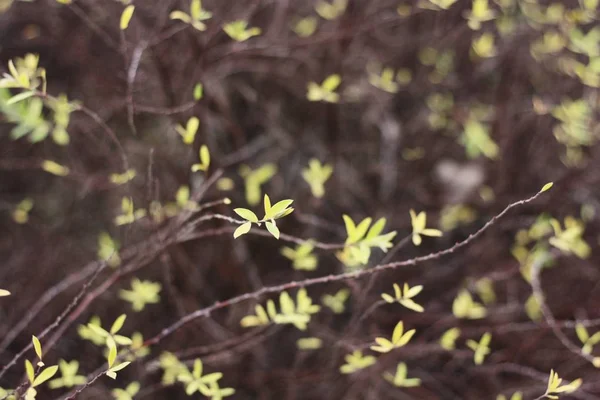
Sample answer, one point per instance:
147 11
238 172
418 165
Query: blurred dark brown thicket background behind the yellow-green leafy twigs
456 108
